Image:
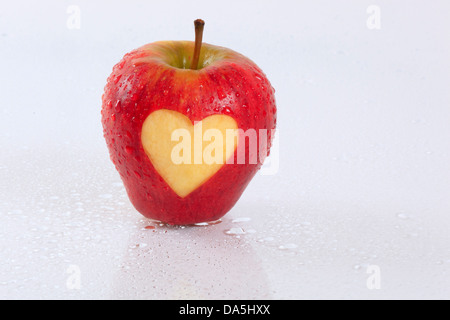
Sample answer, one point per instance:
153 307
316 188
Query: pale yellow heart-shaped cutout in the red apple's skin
184 154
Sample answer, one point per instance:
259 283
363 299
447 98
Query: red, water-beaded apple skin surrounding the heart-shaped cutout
145 81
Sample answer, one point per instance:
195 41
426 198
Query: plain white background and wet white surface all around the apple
363 122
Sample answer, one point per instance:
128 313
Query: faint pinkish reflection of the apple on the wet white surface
192 262
